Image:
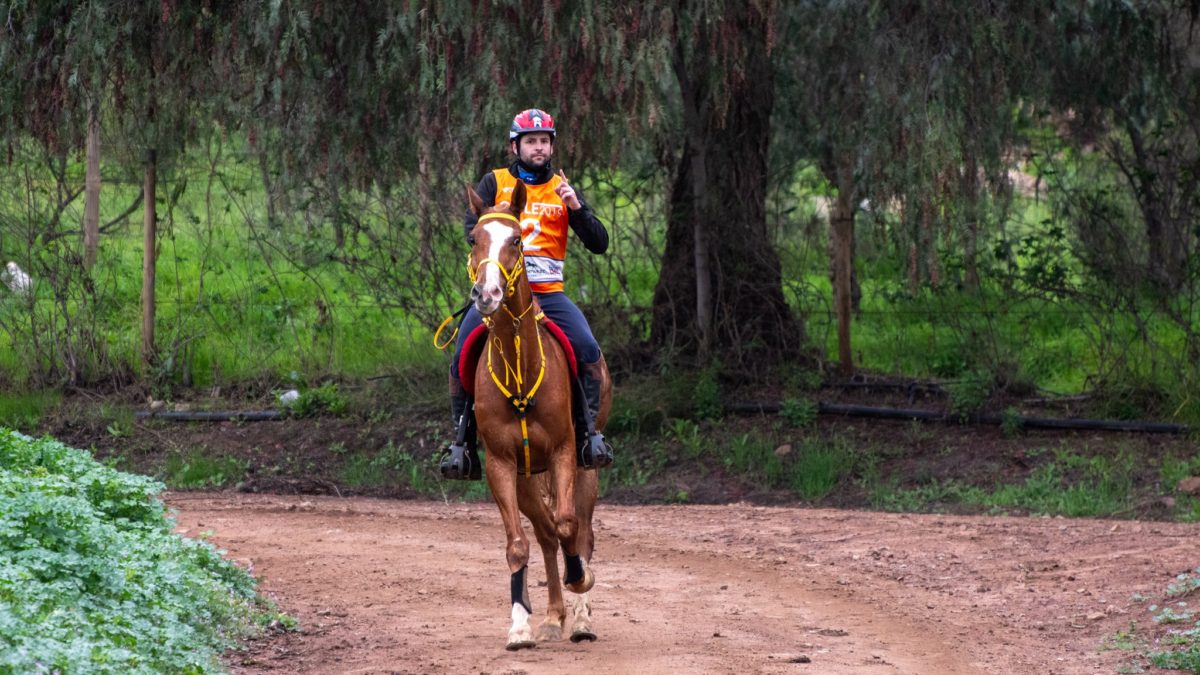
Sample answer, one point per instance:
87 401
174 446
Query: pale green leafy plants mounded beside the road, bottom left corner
94 581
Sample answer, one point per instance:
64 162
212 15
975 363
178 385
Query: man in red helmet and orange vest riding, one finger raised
551 206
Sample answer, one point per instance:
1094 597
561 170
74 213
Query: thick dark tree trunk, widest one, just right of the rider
721 285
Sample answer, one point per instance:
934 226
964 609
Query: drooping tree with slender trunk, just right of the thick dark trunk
909 105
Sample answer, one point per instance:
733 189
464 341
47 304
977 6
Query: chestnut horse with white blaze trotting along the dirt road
524 415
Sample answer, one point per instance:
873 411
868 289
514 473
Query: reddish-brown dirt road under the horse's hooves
395 587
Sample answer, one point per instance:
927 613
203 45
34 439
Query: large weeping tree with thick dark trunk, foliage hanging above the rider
683 87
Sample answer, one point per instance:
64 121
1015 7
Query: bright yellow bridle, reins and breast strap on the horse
512 373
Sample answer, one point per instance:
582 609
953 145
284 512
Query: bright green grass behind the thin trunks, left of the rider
236 303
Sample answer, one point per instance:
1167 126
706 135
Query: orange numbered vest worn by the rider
544 229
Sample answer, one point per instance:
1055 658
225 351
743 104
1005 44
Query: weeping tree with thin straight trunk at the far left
153 62
